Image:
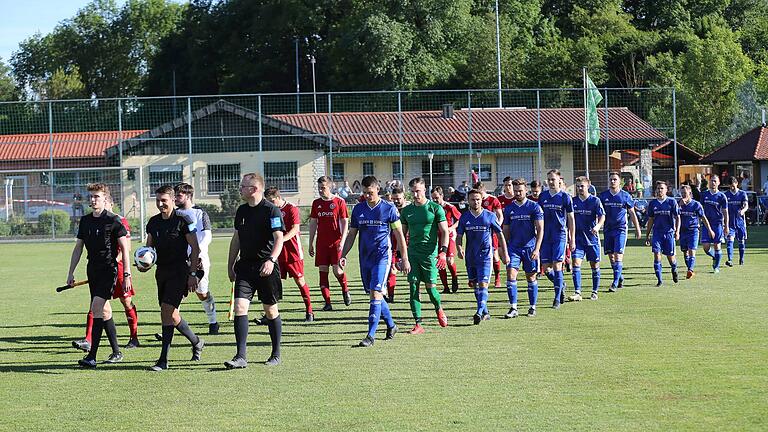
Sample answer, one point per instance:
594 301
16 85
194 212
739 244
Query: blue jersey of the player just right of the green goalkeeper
478 240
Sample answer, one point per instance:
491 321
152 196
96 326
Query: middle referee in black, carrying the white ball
170 234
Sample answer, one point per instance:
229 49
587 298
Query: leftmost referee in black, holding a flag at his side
100 232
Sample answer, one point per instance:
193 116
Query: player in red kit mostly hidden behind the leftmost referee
126 298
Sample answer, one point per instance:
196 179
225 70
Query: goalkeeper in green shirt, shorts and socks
425 226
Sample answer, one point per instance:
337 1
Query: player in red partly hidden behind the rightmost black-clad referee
291 259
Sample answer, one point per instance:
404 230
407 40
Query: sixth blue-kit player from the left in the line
617 204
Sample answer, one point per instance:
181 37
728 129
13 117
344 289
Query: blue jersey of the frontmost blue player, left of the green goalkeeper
373 229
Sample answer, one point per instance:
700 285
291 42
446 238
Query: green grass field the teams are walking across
692 356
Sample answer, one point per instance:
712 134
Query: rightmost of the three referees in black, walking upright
258 240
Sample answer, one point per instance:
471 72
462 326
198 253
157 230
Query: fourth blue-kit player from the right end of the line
664 223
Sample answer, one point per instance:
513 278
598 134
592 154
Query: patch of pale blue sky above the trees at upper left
21 19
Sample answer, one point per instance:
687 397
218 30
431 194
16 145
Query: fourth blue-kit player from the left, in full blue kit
558 215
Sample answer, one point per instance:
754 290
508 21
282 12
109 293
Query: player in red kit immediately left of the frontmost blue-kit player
328 222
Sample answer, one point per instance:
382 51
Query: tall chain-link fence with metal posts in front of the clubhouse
447 137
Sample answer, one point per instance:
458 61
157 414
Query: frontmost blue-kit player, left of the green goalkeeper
374 219
